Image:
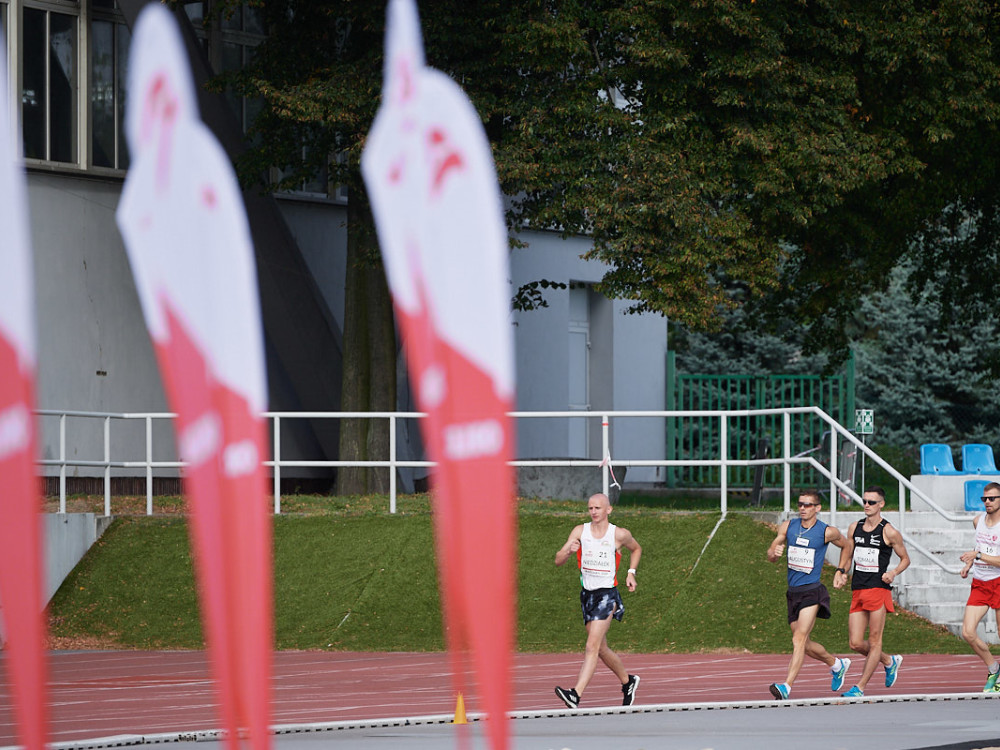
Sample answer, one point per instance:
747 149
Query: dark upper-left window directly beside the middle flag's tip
109 41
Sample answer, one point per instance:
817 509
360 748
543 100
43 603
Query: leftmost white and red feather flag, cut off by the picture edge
20 525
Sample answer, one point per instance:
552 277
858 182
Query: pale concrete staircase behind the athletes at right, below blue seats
925 588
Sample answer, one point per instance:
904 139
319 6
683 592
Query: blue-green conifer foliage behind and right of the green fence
928 378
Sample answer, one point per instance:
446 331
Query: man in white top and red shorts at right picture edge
984 561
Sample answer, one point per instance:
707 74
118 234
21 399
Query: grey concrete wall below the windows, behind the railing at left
94 353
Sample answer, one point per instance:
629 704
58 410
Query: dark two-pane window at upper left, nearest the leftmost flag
49 85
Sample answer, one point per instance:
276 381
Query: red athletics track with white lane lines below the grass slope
96 694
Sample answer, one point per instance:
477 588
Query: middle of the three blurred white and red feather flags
188 241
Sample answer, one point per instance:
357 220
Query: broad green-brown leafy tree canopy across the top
794 146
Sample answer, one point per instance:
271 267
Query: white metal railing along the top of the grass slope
605 462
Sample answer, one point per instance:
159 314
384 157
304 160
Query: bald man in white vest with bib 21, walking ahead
597 547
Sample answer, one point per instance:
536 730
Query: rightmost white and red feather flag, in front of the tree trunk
438 211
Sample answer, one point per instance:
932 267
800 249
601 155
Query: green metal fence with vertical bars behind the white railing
698 437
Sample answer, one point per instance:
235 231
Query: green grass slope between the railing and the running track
357 578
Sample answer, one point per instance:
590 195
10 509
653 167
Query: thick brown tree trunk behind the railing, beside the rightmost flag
369 379
